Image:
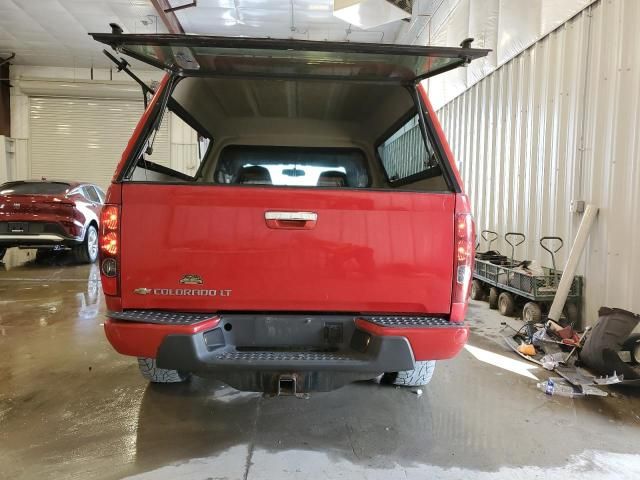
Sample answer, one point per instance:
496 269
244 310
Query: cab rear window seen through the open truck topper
292 166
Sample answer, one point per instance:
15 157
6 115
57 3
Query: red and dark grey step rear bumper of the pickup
251 352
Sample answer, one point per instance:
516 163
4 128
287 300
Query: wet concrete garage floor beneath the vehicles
70 407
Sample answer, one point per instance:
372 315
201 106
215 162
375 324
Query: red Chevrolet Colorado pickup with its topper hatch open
311 232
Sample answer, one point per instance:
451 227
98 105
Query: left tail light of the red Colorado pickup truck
110 248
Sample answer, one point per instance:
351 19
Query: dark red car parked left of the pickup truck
51 215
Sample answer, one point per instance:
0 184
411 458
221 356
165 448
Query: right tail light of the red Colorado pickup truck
463 261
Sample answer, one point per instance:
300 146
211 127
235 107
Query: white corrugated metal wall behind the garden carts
561 122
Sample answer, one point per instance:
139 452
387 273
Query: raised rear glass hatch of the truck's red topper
249 57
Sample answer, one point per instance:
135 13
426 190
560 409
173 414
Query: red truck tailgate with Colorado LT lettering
209 248
